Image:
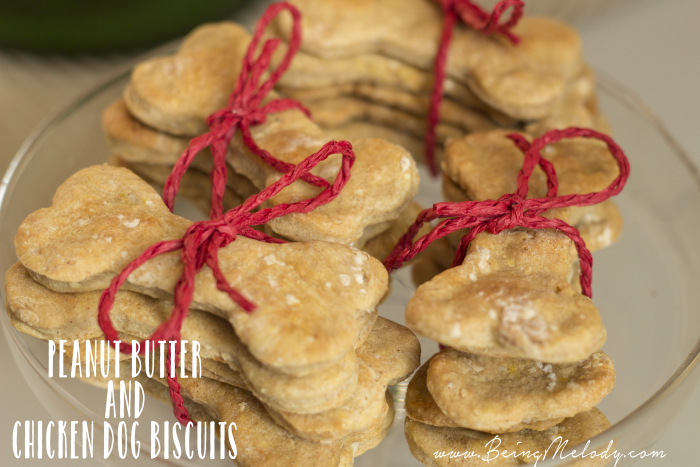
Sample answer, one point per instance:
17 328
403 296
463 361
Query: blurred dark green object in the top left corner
81 26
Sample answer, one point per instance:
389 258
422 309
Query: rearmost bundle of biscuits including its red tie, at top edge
381 68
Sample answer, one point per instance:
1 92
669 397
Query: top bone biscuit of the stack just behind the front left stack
182 89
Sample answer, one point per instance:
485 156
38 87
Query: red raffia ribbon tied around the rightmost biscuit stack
513 210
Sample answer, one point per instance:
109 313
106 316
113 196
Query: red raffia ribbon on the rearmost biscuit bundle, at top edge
476 18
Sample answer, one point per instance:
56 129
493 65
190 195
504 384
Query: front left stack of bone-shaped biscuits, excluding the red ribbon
313 360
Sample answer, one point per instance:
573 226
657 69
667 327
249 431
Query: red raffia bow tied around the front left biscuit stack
200 246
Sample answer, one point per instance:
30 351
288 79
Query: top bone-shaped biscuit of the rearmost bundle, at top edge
522 80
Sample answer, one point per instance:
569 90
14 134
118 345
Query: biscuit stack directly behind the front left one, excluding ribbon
167 102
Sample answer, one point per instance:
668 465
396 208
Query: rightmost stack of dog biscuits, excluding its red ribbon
523 356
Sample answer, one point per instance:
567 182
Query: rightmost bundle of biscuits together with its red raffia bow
521 341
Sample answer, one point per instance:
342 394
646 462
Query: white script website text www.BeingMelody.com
556 449
